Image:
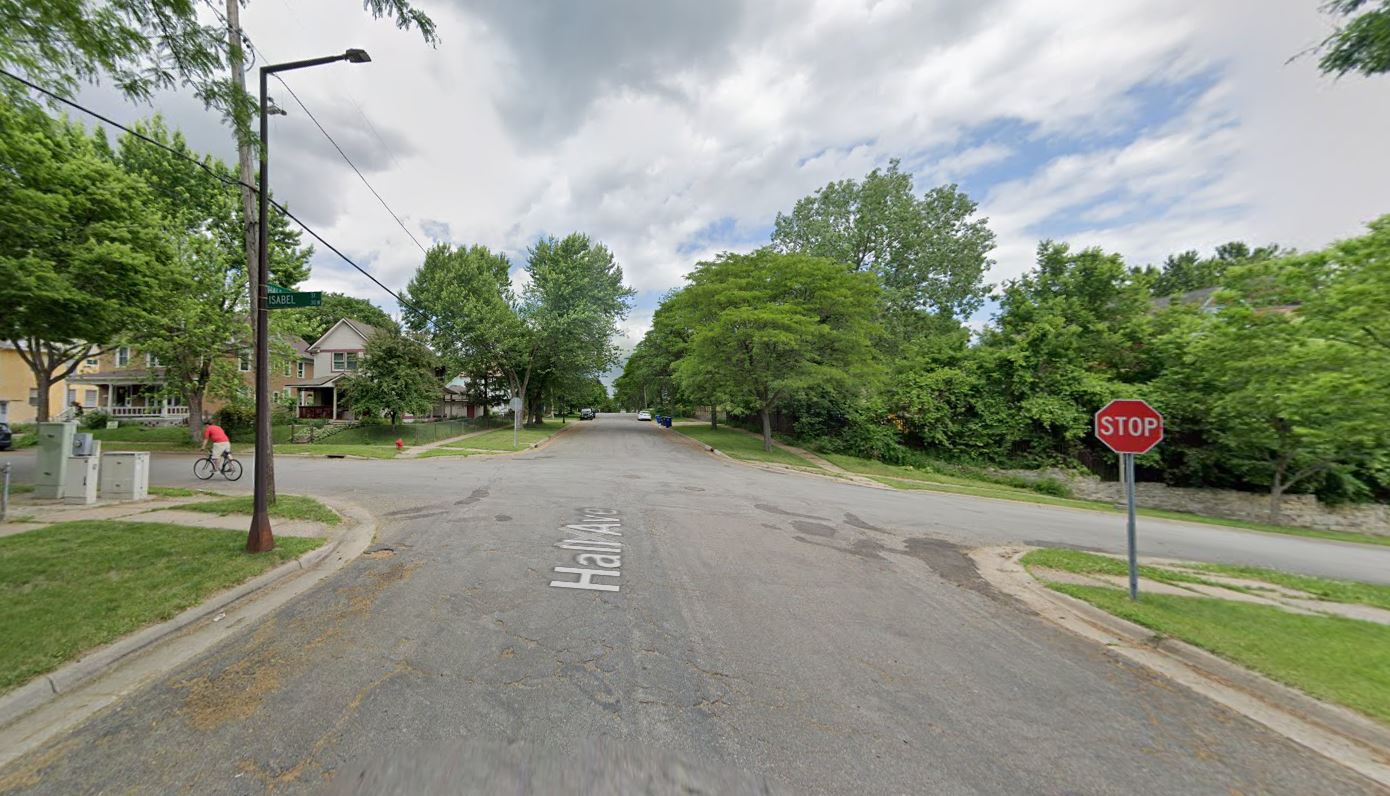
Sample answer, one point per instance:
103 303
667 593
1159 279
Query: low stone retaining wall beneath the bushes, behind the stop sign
1298 511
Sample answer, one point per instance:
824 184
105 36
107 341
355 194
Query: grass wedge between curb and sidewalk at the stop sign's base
1330 658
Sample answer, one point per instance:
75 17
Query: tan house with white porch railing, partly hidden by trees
129 384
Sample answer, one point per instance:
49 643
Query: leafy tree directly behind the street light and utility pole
202 319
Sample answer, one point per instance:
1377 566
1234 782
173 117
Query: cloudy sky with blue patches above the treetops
672 131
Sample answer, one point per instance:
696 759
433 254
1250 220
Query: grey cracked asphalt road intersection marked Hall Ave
771 631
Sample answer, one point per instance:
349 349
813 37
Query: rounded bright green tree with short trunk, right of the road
769 324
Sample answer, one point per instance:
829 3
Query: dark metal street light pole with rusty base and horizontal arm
261 537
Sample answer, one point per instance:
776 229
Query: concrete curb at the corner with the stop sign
1336 733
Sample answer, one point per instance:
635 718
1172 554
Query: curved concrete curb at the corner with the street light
105 661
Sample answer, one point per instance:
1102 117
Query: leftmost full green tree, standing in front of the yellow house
81 252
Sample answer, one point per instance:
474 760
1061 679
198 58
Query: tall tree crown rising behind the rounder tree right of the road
929 255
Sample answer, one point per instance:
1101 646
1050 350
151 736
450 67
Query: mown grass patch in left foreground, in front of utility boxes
73 587
